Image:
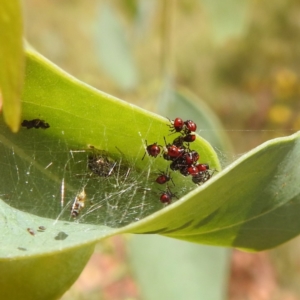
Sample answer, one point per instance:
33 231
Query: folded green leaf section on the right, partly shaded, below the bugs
252 204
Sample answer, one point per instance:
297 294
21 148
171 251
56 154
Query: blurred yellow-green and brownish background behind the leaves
240 57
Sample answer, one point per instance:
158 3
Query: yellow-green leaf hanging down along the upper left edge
11 62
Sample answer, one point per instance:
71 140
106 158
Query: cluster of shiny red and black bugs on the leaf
183 159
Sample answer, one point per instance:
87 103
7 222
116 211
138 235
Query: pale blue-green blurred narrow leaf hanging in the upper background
114 51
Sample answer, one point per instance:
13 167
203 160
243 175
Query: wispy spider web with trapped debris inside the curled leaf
43 175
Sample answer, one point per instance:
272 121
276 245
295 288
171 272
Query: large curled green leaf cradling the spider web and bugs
43 171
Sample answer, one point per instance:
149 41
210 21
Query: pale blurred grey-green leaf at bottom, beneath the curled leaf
167 263
